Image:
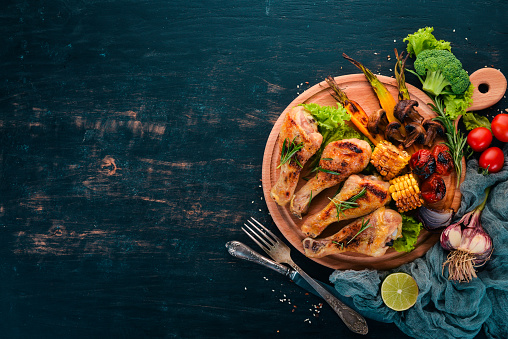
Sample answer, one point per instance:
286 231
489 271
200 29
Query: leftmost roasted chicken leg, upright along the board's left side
298 128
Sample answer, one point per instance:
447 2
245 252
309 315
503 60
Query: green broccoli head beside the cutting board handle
440 69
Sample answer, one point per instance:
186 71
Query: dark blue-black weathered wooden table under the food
132 136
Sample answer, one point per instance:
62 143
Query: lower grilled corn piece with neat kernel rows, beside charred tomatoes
406 193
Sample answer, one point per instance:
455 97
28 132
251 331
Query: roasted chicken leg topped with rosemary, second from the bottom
375 195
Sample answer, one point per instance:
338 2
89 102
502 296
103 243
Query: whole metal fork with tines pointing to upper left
280 252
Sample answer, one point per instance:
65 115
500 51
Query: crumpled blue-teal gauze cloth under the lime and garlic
447 309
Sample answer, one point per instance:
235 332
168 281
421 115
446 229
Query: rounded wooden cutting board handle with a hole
489 88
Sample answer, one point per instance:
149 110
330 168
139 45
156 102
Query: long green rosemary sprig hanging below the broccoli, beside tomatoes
456 141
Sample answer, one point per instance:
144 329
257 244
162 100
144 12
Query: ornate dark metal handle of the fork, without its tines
351 318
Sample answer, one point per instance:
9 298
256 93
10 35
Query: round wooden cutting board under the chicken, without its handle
358 89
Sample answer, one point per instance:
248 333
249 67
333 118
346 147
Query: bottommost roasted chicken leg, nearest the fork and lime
368 235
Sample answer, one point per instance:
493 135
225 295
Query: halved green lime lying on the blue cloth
399 291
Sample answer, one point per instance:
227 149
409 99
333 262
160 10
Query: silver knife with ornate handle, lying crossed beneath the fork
242 251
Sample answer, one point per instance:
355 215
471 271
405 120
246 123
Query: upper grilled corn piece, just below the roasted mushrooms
389 160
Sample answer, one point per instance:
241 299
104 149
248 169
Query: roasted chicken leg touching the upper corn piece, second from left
340 159
